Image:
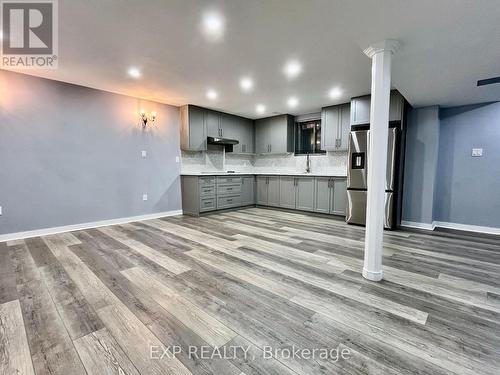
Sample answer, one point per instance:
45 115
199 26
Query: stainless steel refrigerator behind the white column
357 178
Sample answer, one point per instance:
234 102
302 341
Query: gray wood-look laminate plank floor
172 296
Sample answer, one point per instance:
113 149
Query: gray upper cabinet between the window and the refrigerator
335 127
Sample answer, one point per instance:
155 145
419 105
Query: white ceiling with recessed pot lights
447 46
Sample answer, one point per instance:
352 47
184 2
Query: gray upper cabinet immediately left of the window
274 135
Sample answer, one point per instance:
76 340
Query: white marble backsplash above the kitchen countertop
333 163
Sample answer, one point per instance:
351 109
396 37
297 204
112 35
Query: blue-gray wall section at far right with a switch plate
468 188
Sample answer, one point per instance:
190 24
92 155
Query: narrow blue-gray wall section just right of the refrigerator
421 158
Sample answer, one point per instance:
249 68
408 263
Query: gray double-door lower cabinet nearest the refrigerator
330 195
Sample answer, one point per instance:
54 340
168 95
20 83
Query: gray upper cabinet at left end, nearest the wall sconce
193 135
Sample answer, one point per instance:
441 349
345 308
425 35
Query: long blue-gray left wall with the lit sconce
71 155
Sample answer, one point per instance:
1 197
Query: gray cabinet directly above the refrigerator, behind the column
360 108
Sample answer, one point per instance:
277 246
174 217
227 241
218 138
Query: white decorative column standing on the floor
381 55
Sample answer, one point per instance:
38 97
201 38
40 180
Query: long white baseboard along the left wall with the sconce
82 226
